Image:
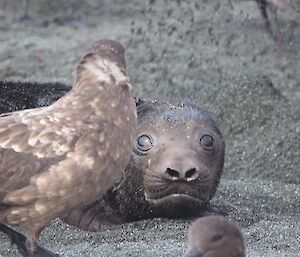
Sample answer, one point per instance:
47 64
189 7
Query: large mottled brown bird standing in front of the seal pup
57 158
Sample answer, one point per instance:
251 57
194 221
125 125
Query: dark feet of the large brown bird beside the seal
19 240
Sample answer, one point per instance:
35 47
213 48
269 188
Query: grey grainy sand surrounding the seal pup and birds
219 56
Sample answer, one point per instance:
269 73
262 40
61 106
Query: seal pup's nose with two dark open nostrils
188 174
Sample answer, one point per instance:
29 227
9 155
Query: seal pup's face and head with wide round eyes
182 152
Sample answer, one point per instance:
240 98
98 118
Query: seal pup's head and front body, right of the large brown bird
174 169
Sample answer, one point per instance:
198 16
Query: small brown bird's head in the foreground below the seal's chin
214 236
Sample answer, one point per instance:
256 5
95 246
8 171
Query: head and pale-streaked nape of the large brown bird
104 63
